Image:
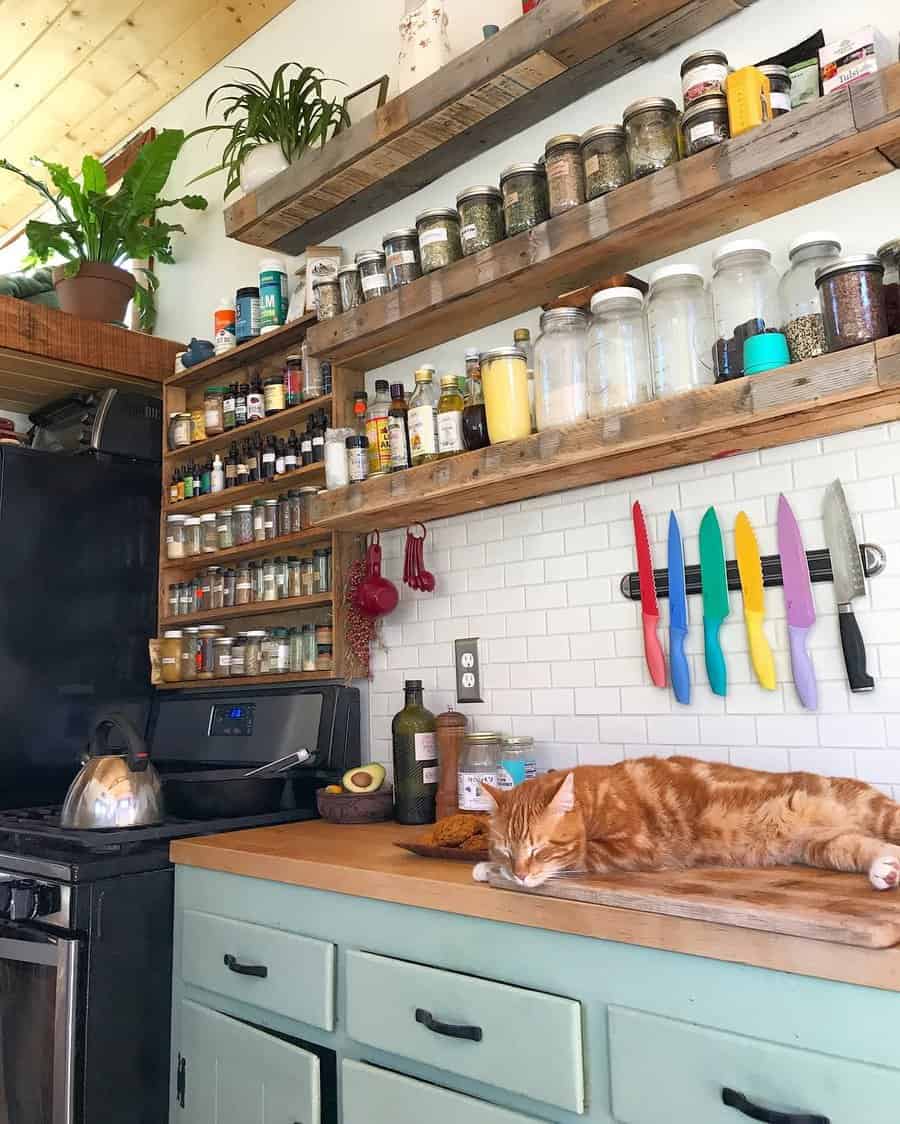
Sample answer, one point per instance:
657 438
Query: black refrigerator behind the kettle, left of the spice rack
79 558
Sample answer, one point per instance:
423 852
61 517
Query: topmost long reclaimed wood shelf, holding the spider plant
533 68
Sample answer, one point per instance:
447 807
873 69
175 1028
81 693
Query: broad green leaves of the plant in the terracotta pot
97 225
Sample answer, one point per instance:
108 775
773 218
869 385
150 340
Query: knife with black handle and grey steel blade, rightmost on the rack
850 583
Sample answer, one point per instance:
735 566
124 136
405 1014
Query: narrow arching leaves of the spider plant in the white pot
289 111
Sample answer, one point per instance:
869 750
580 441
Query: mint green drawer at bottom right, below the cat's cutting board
663 1071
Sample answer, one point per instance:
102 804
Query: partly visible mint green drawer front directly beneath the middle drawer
377 1096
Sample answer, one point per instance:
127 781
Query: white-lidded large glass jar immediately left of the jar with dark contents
680 330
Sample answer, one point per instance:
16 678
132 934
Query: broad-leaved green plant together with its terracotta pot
97 230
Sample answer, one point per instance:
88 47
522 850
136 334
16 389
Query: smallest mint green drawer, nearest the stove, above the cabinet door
295 975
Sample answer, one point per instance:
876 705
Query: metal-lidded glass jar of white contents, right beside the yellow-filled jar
561 373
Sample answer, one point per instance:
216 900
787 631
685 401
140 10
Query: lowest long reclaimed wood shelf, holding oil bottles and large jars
833 394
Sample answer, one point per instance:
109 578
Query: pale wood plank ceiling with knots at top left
81 76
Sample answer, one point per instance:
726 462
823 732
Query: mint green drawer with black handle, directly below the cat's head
528 1043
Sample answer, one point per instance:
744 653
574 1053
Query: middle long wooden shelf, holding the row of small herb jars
838 142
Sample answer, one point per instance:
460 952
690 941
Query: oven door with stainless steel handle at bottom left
39 1012
